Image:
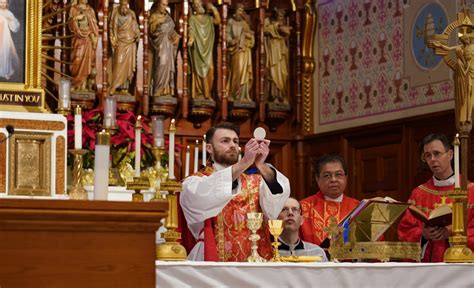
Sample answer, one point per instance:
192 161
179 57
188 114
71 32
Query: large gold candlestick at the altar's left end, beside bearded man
171 250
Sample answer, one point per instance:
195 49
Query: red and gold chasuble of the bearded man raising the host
226 235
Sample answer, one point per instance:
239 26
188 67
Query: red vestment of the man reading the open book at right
424 197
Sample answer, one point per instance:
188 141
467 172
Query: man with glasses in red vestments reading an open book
436 151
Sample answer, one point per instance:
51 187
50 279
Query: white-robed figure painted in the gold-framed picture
8 54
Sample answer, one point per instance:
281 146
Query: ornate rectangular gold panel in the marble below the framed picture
30 164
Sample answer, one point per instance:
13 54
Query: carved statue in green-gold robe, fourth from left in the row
201 44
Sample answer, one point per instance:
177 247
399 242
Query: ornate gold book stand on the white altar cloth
358 235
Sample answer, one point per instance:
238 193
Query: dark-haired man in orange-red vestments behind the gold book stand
329 202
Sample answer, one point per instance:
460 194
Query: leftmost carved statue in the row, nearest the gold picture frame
83 26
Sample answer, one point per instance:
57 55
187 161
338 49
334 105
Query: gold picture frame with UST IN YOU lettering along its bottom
25 94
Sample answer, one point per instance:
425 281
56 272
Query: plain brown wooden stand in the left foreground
56 243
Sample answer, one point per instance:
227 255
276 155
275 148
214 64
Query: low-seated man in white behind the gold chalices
291 244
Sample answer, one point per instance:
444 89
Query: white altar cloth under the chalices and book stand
360 275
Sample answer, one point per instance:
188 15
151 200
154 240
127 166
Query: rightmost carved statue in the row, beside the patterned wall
276 33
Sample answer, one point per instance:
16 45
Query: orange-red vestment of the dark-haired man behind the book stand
317 211
